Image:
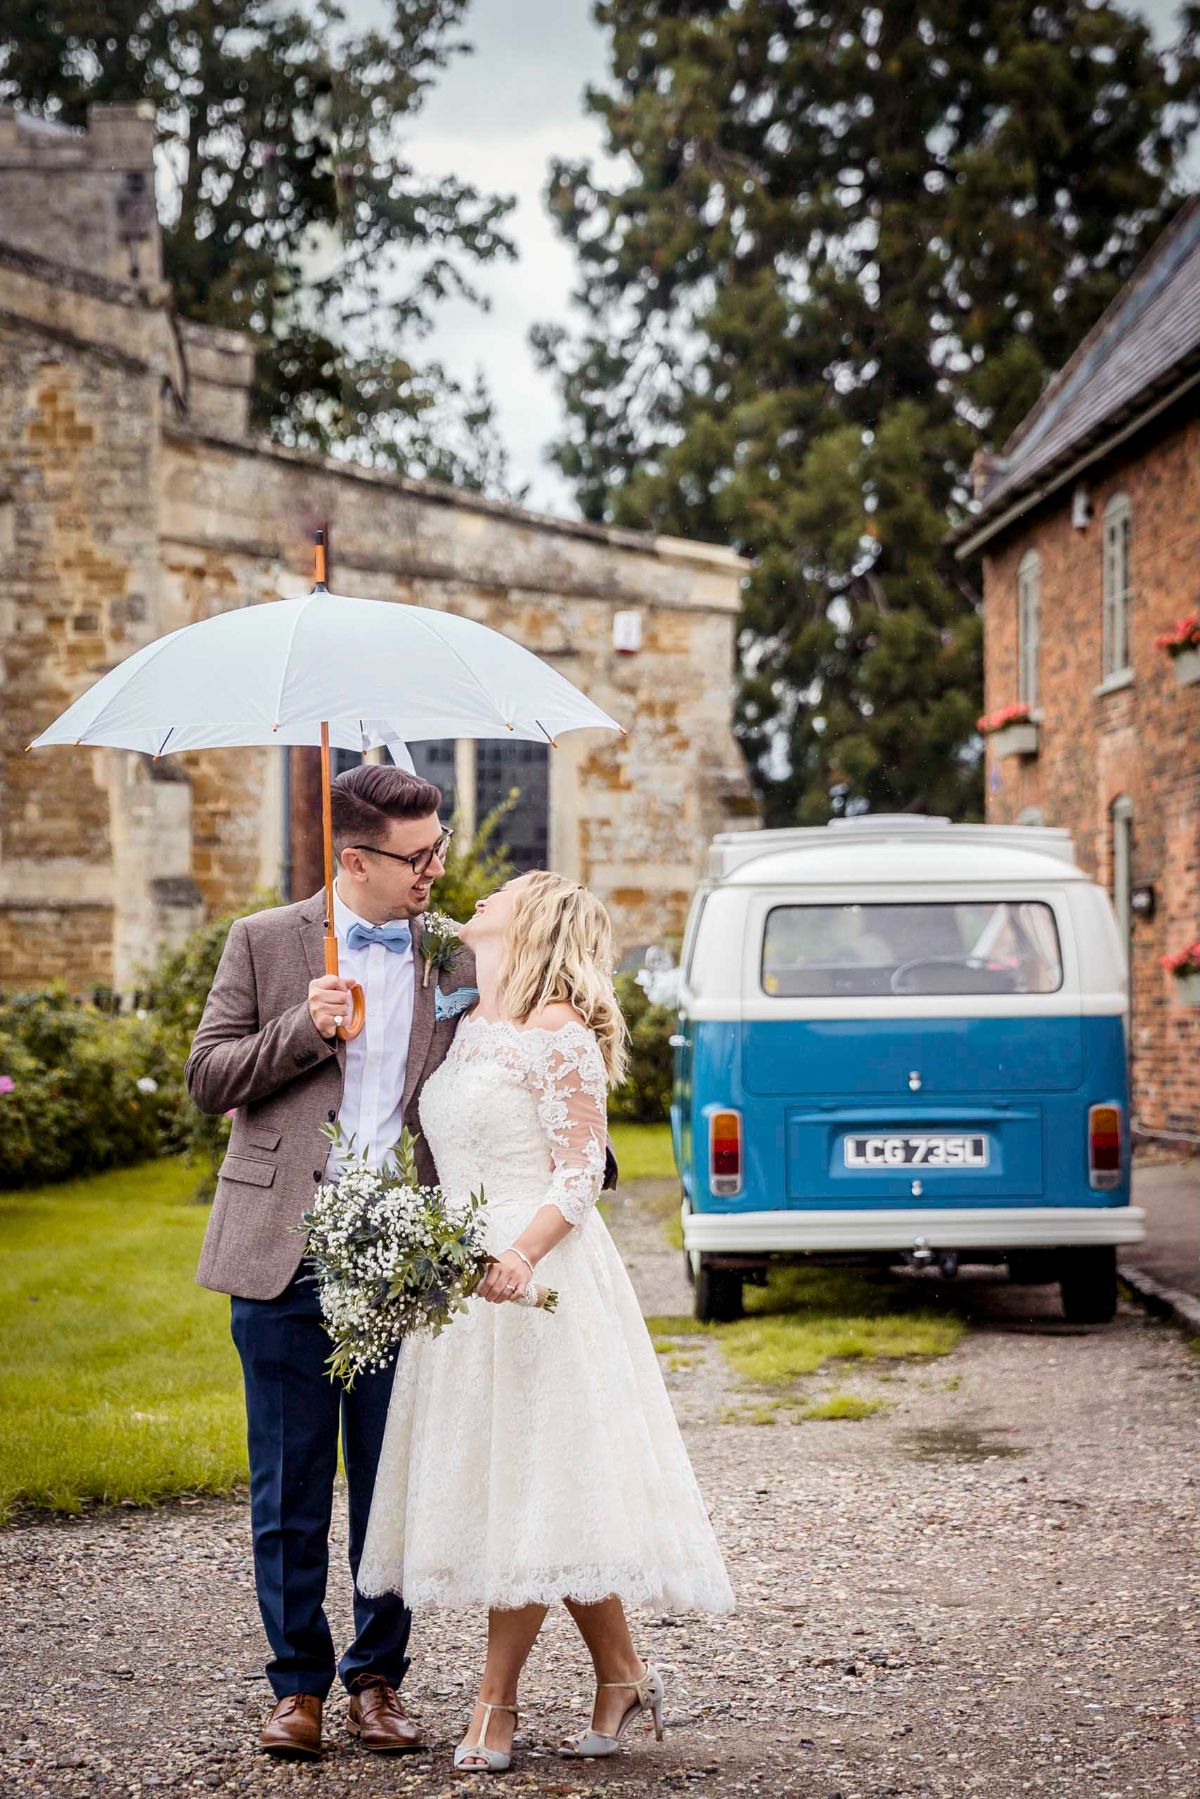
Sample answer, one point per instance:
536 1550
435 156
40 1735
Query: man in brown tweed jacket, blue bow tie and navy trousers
267 1046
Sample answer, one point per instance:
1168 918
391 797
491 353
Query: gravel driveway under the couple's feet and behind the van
989 1588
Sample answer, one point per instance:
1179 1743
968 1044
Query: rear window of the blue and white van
911 947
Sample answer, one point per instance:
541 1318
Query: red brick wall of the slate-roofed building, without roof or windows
1142 740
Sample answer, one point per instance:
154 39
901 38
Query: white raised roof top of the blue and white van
884 850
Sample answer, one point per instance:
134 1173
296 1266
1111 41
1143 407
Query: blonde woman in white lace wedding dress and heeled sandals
533 1456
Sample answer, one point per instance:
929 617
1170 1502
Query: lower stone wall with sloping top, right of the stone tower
632 816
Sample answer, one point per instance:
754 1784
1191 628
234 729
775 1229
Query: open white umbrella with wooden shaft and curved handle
325 670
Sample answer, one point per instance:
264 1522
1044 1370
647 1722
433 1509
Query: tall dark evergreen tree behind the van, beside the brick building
852 246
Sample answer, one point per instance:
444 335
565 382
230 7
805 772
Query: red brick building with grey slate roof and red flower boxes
1089 526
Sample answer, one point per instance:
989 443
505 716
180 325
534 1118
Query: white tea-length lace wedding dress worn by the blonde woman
535 1456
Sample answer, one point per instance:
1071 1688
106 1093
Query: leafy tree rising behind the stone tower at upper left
292 211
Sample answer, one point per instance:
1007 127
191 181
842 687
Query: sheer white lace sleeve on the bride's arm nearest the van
569 1086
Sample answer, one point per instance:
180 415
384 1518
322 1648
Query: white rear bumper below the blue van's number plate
947 1228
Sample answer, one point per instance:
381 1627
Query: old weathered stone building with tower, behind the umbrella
134 499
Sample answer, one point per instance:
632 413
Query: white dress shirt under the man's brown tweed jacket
377 1061
